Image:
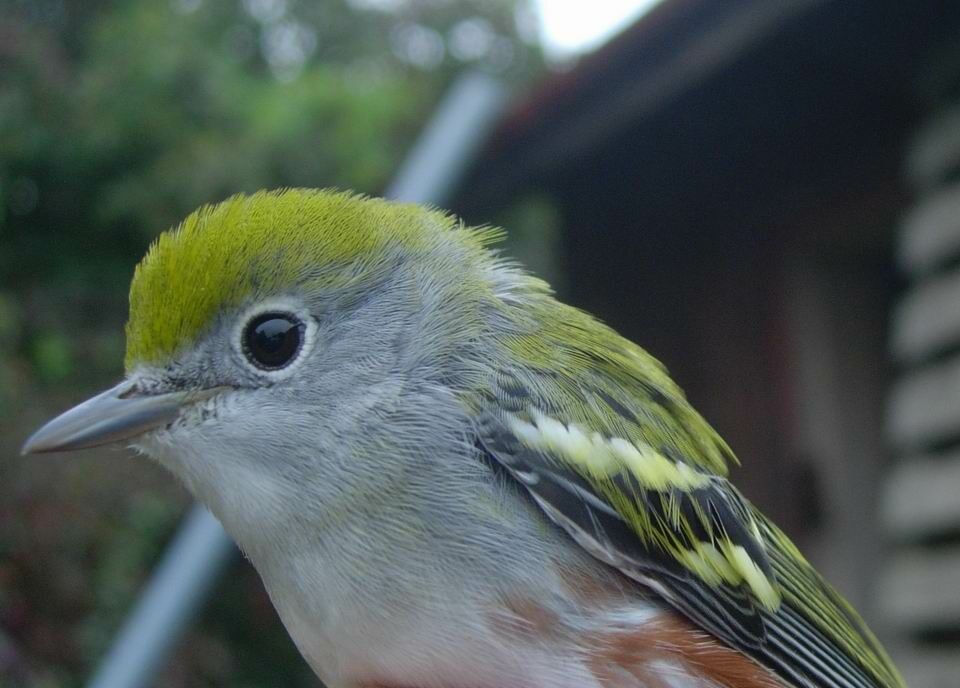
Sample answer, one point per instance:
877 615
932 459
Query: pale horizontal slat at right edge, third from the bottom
922 497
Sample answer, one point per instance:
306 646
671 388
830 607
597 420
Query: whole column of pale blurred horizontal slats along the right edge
920 582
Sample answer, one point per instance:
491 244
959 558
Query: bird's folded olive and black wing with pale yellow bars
612 452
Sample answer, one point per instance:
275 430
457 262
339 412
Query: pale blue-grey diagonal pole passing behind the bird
201 549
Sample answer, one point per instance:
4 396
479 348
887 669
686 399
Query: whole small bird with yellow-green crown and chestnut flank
445 476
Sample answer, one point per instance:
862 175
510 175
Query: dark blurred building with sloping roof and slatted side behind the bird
765 195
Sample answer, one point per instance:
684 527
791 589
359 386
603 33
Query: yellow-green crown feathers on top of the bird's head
266 243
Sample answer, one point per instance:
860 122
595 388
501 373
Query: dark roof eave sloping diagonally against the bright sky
673 48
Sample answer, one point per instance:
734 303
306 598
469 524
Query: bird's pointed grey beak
120 413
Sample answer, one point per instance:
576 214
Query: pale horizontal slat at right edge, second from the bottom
918 590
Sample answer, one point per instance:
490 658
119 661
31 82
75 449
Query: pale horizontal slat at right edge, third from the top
927 320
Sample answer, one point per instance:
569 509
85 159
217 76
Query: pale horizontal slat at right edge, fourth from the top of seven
925 406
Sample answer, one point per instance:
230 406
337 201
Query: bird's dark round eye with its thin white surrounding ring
284 309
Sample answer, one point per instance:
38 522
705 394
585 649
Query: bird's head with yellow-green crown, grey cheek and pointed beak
268 330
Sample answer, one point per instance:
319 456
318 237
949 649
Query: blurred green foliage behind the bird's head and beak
116 119
